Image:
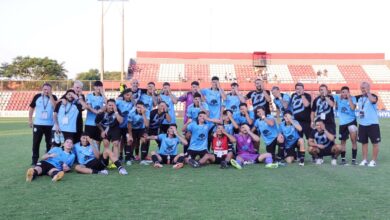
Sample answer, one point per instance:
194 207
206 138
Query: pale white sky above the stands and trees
69 30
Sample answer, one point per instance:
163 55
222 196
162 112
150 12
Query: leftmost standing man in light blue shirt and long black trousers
43 104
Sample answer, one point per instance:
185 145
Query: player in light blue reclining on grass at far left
54 163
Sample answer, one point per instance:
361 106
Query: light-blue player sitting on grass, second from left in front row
91 161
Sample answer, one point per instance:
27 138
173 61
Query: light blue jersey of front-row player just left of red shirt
199 136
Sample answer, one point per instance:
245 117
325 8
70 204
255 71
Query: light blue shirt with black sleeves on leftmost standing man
43 110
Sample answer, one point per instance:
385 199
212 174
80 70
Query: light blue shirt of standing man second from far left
67 116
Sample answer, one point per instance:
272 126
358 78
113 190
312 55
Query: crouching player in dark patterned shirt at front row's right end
322 144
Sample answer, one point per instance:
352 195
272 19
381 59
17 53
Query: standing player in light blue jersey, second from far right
346 105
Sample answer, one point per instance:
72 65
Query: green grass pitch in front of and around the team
292 192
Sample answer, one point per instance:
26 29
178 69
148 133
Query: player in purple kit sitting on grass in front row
246 153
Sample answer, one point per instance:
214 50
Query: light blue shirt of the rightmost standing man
368 114
